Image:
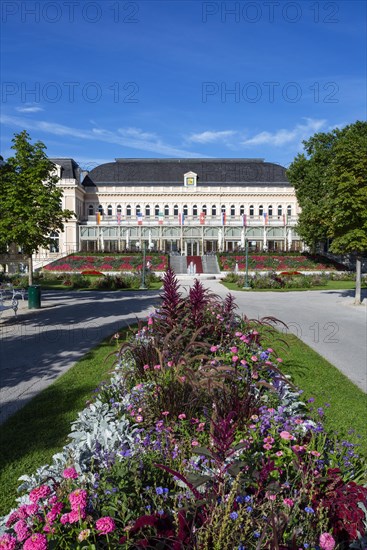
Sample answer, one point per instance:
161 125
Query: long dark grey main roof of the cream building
171 172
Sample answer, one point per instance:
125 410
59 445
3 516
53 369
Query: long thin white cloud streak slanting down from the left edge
132 138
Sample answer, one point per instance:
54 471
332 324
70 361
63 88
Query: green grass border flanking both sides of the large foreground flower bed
39 430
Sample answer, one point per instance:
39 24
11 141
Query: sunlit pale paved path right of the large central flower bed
327 321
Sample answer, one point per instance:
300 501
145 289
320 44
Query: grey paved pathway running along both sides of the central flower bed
44 343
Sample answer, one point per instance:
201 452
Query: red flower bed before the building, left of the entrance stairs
78 263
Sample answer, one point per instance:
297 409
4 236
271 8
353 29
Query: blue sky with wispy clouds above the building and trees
97 80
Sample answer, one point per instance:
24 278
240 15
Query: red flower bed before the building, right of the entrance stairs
277 262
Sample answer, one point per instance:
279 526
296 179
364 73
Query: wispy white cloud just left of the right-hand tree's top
286 137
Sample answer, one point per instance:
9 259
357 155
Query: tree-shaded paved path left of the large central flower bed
44 343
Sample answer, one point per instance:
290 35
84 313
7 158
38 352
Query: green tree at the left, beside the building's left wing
30 201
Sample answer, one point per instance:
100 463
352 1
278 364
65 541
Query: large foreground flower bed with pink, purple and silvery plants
197 442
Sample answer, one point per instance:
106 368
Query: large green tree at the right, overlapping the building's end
330 181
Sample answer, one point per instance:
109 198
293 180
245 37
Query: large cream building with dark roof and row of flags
193 206
